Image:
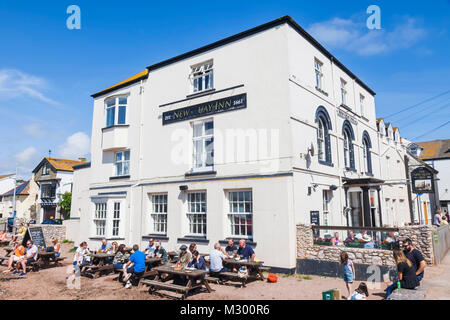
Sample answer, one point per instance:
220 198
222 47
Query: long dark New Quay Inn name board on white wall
205 109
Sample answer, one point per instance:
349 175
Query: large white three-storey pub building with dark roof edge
245 138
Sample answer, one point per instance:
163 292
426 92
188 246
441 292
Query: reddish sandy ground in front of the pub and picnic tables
51 284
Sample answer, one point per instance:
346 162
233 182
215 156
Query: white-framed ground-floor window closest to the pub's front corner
231 214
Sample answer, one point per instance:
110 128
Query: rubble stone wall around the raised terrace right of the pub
420 235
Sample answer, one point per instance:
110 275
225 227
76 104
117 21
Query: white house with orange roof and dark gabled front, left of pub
54 178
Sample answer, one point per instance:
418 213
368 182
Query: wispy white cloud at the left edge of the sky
15 83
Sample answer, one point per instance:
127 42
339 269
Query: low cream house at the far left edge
26 197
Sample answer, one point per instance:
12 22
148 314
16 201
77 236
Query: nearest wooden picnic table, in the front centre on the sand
196 279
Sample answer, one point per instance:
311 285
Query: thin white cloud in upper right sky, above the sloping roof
354 36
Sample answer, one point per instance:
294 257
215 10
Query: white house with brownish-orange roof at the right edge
437 154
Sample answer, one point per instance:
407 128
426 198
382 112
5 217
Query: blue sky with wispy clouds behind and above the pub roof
48 72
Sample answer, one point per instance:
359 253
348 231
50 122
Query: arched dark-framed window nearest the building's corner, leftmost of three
323 136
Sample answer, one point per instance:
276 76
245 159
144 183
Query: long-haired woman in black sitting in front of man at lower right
406 273
